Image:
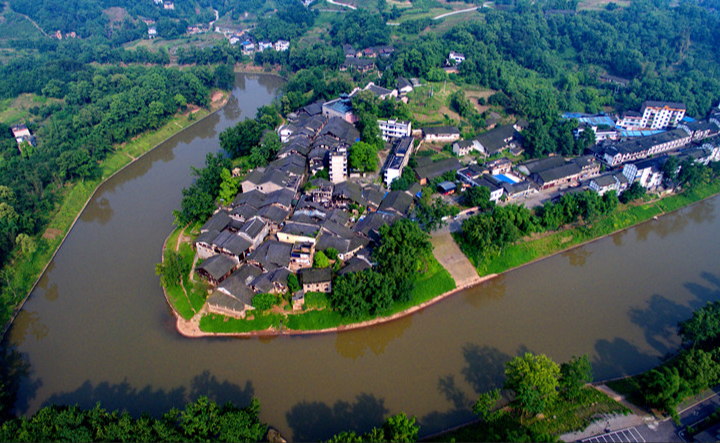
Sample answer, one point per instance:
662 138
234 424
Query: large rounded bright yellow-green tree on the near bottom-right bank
534 379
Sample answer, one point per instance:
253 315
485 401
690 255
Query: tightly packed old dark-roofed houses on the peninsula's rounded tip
280 220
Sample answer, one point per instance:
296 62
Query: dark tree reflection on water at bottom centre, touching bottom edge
316 421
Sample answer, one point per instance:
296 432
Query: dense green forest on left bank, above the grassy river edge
90 109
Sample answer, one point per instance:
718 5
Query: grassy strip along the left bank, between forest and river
27 270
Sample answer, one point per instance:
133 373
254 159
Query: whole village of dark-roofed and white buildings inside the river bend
286 217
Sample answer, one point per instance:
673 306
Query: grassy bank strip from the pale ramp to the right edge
548 244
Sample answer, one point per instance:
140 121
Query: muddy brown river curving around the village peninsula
97 327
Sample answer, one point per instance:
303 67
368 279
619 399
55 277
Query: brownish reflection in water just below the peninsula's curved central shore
353 344
